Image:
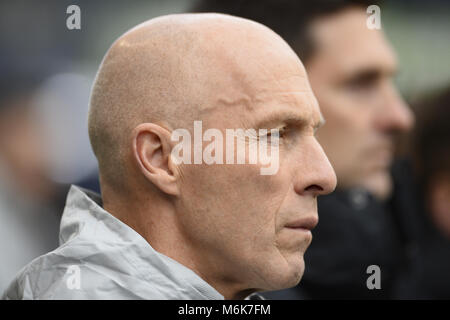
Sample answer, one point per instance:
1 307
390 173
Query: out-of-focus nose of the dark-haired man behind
394 115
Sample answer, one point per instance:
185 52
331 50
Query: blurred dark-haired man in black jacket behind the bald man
351 69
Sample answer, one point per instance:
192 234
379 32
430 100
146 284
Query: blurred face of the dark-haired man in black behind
351 75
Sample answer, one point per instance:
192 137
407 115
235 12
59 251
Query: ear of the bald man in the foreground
151 150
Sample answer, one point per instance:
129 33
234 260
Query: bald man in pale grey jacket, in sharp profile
165 229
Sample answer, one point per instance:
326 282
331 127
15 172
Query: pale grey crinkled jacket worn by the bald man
100 257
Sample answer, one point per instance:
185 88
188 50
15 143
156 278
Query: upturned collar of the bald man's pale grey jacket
85 219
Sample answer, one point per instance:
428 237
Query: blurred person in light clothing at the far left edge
30 202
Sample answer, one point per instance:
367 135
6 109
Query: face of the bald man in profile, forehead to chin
253 228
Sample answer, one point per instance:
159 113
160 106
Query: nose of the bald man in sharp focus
316 175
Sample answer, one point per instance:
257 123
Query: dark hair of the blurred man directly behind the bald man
289 18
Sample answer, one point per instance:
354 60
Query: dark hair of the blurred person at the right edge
431 136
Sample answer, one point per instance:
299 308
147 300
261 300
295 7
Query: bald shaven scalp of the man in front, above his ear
170 70
